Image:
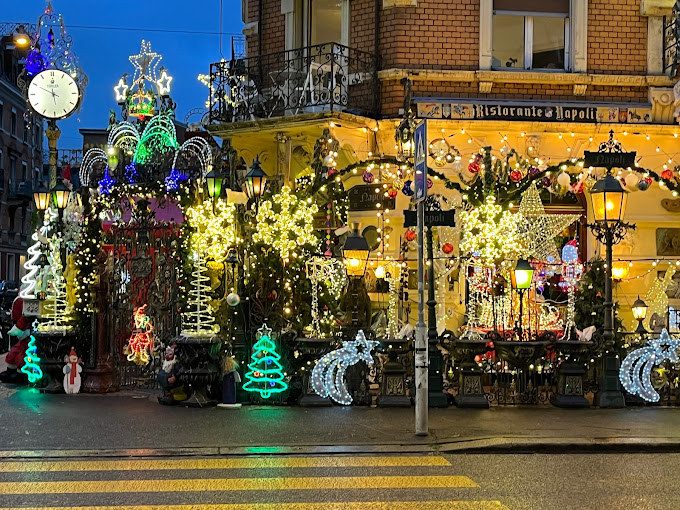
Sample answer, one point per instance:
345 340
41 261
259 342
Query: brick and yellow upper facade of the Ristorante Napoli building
614 58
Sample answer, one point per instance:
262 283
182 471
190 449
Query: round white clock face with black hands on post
53 94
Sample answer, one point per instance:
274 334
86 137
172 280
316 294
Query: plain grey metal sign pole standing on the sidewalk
421 336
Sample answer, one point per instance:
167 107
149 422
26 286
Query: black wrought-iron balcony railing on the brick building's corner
325 77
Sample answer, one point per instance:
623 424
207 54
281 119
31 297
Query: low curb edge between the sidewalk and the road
495 445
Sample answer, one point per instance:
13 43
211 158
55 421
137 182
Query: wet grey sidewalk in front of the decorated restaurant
31 421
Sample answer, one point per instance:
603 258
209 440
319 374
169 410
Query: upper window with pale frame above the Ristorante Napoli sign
530 34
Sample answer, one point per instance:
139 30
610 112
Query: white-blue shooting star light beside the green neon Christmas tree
328 376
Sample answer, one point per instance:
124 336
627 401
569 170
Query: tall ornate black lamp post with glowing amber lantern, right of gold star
608 199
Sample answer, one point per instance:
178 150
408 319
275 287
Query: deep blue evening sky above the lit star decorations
104 53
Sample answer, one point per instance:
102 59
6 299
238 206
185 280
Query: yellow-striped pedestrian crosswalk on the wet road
394 482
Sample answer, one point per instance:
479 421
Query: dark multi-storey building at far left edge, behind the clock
21 161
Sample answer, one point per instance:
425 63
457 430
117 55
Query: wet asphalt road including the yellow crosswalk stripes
423 482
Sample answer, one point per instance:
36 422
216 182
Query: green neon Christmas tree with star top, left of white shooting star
265 373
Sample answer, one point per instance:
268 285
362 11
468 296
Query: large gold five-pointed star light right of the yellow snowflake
537 229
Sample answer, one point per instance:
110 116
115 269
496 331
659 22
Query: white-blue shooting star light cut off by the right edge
636 369
